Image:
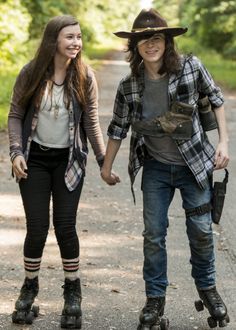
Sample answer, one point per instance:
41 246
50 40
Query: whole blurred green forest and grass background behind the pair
211 34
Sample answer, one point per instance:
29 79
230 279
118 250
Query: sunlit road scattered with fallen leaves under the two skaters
110 231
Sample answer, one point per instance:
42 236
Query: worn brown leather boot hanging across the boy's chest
177 122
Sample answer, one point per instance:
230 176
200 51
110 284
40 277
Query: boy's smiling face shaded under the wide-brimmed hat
152 49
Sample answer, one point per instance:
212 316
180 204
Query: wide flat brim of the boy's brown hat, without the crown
174 32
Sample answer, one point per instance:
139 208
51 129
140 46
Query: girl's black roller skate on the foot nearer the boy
71 315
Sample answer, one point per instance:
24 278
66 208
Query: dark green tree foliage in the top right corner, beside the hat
212 22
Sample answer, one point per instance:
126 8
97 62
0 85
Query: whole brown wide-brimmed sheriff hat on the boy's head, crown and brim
147 22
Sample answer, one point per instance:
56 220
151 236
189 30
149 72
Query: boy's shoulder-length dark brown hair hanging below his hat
171 58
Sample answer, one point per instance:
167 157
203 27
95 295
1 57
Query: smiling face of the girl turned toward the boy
69 41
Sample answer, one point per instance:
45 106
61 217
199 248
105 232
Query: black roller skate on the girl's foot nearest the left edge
24 311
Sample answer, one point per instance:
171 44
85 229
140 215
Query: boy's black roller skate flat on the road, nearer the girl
151 316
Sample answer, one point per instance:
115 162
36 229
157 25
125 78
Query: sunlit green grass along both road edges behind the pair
222 70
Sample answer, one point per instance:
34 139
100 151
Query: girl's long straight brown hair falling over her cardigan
41 68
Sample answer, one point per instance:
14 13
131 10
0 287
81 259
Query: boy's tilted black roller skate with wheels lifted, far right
215 305
